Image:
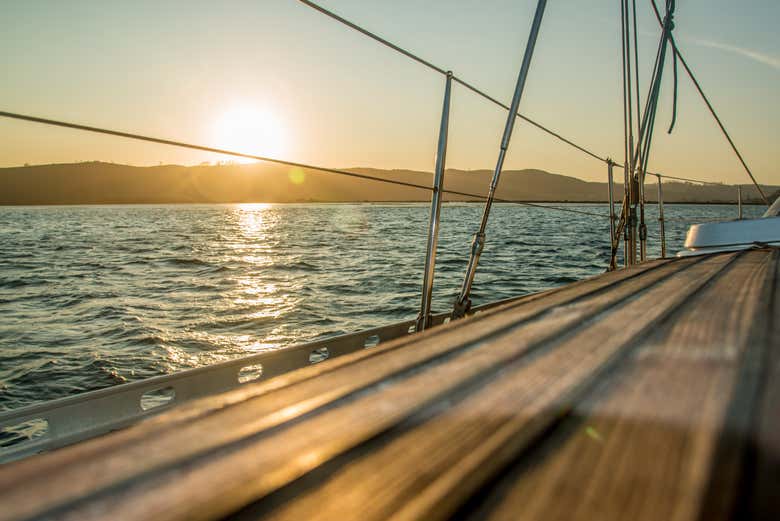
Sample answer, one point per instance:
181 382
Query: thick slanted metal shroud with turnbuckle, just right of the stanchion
463 302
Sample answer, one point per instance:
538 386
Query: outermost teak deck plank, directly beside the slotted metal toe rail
106 462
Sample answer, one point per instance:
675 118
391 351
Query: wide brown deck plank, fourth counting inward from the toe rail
642 447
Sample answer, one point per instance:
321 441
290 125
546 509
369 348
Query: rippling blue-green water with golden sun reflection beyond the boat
94 296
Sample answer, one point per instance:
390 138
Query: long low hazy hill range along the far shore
108 183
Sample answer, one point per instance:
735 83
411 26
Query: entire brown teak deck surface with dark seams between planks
647 393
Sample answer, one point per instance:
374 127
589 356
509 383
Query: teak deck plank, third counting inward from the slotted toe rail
429 470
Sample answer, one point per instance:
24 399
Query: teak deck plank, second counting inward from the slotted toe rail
218 481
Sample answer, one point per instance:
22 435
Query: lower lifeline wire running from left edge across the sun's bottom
203 148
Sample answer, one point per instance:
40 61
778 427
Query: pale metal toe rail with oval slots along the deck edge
56 423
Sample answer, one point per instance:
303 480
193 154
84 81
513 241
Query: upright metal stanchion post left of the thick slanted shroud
424 318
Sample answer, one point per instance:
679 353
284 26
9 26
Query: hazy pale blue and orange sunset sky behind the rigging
277 78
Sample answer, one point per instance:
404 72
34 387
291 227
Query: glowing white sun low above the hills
252 130
